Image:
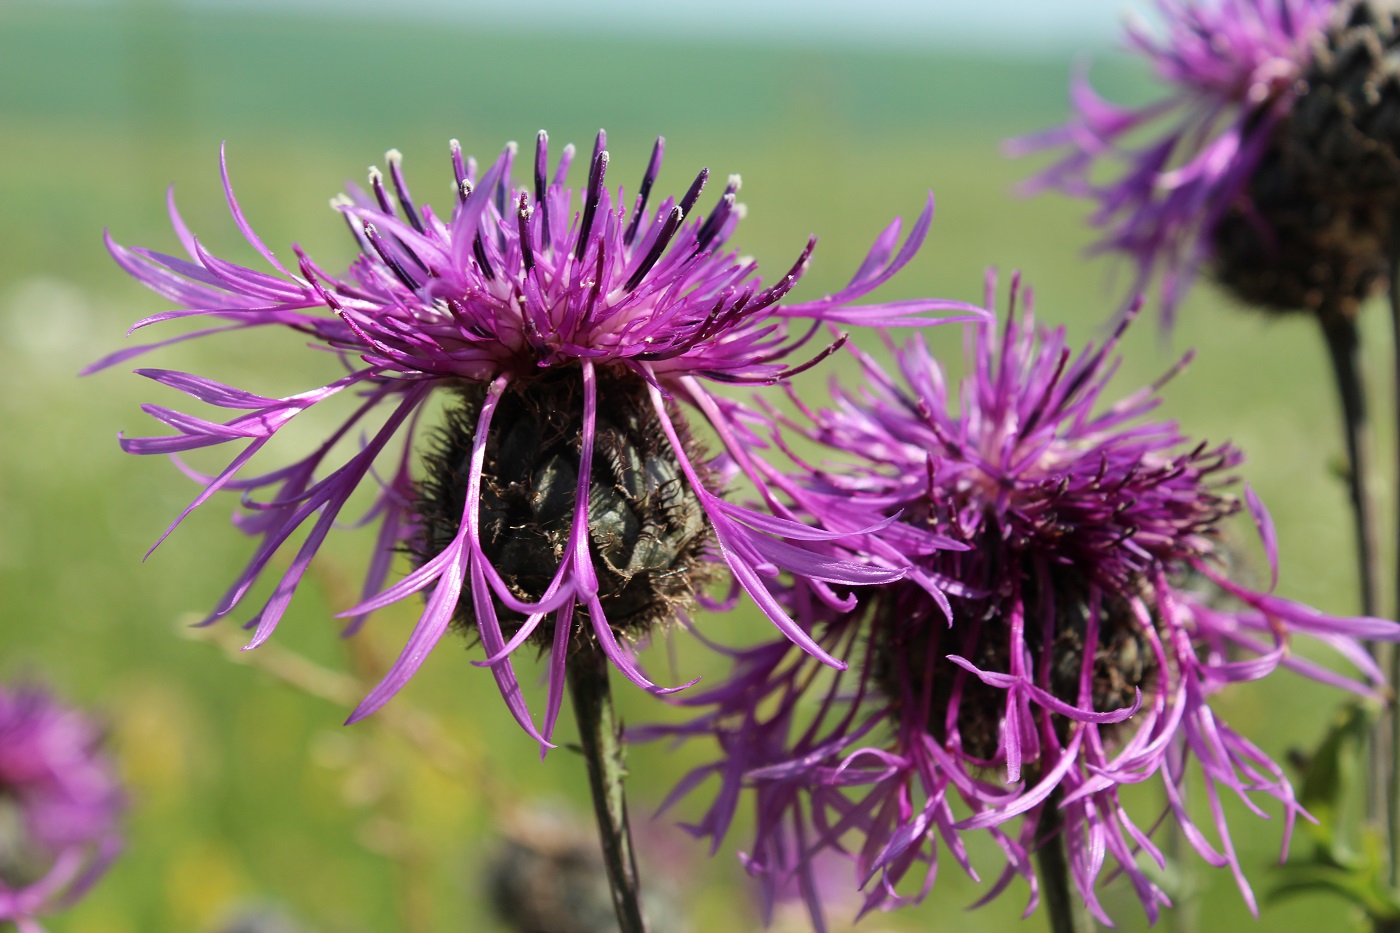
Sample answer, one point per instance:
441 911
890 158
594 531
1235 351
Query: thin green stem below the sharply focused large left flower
601 742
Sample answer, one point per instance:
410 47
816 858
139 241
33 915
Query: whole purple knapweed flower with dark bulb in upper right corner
1272 159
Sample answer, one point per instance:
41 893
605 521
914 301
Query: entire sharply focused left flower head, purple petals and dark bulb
565 337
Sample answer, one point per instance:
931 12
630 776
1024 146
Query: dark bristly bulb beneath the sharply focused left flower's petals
646 529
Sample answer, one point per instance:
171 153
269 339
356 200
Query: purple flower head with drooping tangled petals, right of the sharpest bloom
1016 683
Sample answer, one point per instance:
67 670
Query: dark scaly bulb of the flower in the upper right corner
1314 229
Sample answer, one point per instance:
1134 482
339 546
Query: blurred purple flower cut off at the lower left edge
59 806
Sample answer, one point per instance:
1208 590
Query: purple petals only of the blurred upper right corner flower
1164 176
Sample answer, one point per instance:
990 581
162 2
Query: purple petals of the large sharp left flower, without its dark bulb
512 285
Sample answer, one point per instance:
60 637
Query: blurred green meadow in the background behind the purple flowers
250 792
